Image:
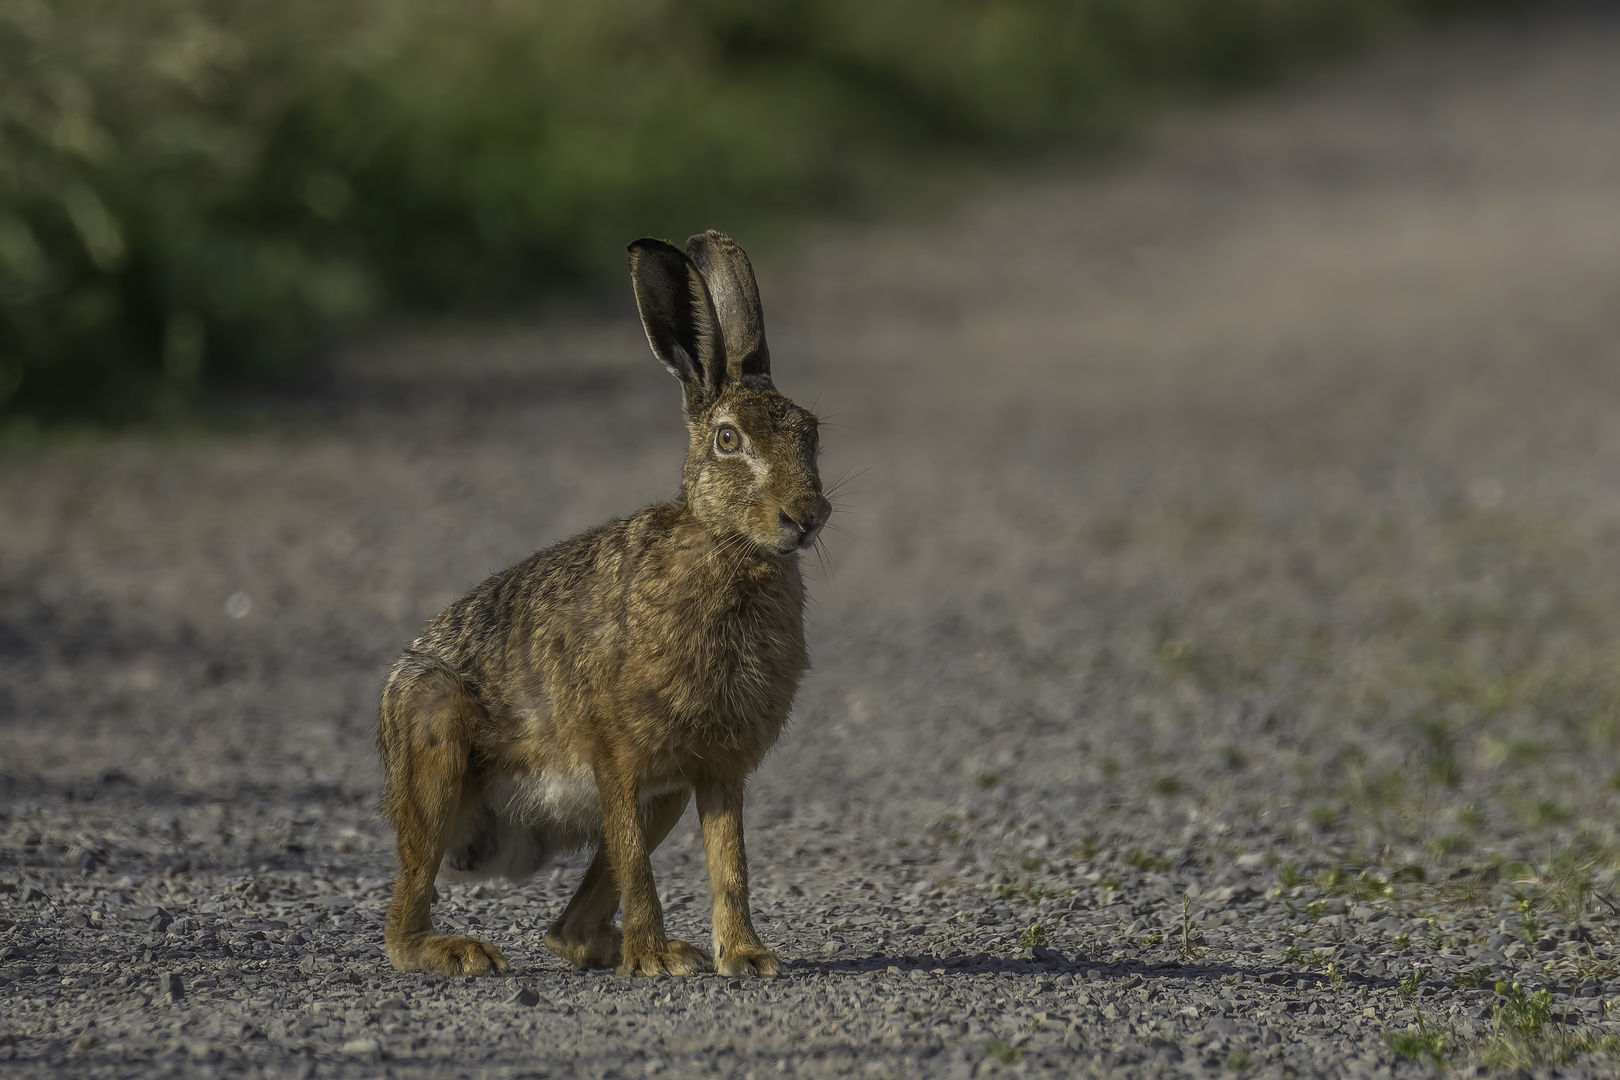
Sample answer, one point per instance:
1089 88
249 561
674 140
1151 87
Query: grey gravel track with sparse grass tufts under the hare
1221 671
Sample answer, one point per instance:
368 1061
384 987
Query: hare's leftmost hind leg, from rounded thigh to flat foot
425 736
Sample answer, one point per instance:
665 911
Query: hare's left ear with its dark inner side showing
678 315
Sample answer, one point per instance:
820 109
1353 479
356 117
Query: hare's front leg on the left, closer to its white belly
644 948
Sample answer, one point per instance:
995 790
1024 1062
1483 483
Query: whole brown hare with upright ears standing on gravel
586 694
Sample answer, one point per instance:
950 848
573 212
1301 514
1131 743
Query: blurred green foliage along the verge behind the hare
194 190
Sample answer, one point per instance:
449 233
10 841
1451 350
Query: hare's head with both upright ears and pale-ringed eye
752 456
